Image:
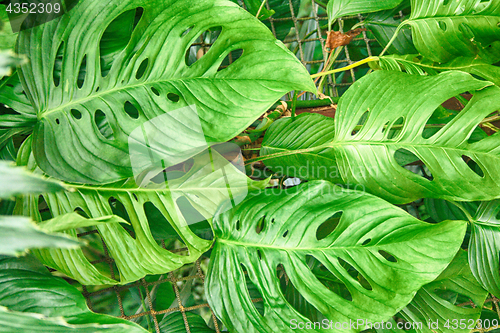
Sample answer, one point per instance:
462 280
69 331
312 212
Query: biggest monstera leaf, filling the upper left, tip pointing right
109 68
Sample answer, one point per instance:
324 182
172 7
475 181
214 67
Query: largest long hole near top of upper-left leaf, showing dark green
116 37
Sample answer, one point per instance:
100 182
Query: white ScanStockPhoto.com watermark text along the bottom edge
360 324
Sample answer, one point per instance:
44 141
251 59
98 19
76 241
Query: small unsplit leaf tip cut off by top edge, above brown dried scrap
338 8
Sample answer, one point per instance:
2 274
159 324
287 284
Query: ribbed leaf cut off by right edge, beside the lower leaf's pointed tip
484 247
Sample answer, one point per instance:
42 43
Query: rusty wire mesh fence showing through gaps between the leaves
142 301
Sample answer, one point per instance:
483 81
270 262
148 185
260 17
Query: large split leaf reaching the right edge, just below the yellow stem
392 109
